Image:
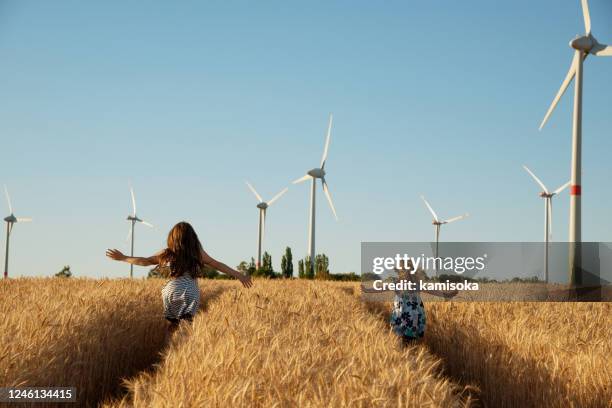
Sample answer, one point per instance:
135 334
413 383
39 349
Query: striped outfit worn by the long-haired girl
181 297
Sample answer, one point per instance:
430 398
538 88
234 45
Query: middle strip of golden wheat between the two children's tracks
291 344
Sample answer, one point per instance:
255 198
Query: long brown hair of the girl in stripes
184 252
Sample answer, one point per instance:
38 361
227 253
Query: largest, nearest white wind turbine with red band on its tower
583 46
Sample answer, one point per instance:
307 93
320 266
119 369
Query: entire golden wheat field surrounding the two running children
297 342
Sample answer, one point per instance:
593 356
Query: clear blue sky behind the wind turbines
188 99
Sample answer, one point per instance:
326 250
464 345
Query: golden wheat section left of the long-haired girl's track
79 332
